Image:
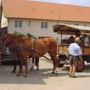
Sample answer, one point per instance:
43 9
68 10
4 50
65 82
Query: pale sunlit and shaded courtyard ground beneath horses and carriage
43 79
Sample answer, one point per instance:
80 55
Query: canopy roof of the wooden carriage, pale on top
71 29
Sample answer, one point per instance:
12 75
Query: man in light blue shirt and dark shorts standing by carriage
75 53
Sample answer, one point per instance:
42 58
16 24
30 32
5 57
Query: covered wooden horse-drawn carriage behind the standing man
72 30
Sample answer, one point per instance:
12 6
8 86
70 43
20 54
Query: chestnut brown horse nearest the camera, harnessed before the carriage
25 47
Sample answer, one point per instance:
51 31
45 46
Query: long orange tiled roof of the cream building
42 10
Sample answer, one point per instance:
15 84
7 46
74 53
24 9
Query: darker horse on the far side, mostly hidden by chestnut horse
3 47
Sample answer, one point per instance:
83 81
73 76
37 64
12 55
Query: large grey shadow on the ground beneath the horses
34 77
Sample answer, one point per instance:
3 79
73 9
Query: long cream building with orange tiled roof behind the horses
38 18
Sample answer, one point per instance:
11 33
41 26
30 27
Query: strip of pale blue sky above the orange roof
73 2
